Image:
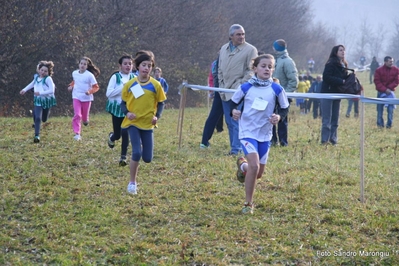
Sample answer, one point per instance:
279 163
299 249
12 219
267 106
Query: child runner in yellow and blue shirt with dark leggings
142 103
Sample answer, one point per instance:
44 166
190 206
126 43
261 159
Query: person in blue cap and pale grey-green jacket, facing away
287 73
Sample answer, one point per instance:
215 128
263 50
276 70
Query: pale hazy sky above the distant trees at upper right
344 14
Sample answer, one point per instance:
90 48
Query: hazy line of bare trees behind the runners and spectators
184 35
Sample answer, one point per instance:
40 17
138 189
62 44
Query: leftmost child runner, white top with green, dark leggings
44 88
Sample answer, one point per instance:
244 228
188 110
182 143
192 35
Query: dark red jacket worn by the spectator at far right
386 78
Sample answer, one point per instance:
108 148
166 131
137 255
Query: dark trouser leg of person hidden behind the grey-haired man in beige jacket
215 115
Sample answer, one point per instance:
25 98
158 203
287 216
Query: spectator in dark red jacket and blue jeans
386 79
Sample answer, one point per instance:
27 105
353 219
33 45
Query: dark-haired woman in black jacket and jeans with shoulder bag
334 75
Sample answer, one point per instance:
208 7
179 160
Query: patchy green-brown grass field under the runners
65 202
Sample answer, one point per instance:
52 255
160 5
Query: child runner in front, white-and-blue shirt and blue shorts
260 96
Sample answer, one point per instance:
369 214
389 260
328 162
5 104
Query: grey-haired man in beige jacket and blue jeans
235 68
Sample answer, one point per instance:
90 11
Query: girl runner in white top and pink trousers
83 86
